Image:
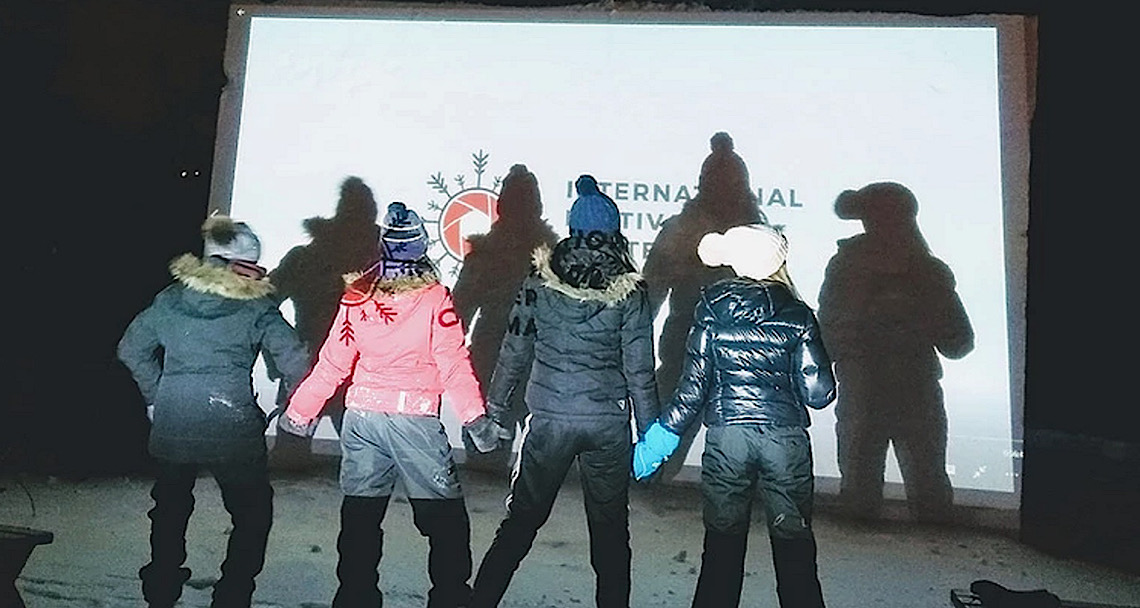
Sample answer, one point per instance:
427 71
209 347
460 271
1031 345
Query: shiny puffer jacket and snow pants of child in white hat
754 361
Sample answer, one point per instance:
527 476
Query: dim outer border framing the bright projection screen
1016 69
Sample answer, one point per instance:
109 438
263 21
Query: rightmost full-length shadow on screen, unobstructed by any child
887 310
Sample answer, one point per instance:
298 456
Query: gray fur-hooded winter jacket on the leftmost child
192 353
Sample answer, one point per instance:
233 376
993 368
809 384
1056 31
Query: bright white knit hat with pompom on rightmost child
755 250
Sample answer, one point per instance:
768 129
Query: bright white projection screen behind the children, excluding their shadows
433 107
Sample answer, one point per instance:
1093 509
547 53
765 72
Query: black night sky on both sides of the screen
109 101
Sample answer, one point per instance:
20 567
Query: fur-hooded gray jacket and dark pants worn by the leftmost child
192 353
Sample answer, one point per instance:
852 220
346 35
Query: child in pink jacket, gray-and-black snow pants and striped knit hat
398 337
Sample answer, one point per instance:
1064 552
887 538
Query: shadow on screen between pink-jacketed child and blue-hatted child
490 280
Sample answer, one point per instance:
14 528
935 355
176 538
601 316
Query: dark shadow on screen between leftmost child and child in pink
312 277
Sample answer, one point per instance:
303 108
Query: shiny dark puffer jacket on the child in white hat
754 355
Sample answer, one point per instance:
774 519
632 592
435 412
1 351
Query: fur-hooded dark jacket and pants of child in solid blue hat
582 328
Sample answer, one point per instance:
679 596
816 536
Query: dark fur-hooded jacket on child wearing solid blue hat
582 326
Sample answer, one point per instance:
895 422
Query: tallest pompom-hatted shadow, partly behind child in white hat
674 274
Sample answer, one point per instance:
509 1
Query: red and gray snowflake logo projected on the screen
469 212
